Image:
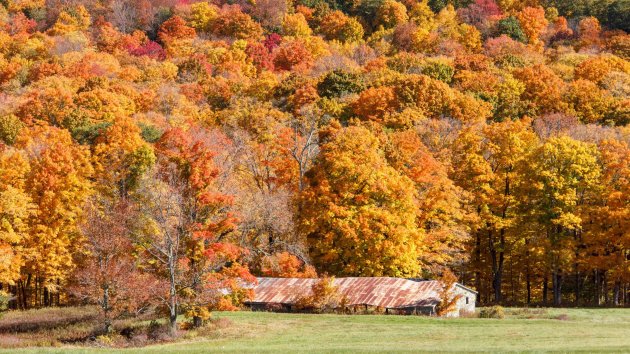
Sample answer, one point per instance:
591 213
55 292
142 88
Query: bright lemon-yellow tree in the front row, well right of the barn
563 173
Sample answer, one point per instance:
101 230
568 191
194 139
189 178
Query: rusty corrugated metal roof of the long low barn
382 291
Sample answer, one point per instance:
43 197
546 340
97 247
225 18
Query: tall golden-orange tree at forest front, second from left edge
58 183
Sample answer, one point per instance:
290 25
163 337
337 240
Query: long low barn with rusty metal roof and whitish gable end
391 295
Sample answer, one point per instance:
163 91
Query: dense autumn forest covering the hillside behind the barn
162 154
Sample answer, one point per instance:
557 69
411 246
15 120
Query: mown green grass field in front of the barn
565 330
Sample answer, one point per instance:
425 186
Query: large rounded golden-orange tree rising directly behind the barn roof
358 213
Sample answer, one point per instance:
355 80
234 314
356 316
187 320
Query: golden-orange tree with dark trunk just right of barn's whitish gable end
488 167
